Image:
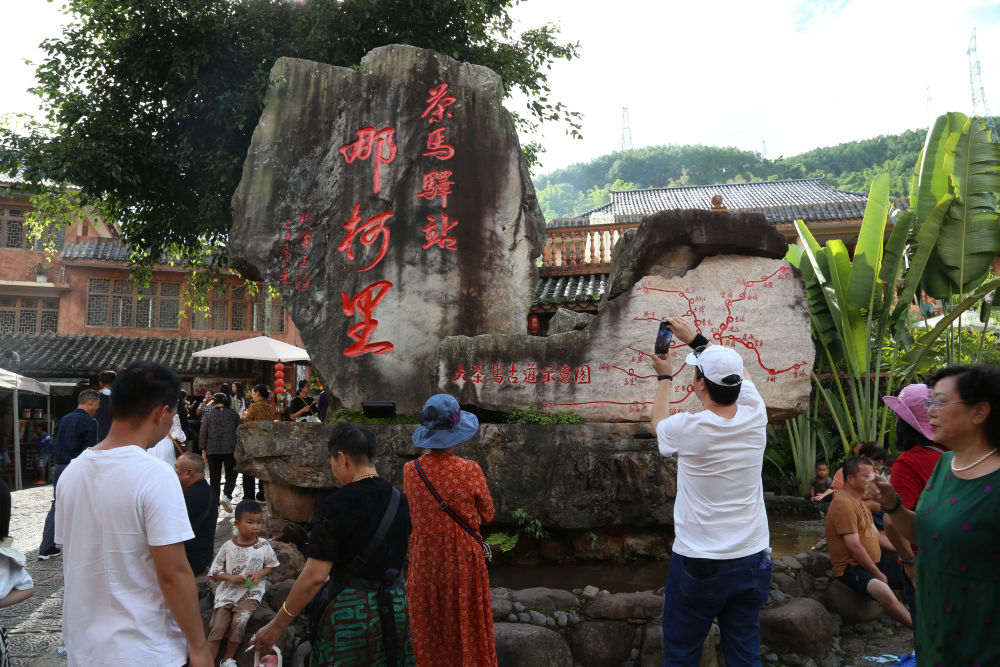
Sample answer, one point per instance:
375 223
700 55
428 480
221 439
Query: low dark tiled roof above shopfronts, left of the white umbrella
75 355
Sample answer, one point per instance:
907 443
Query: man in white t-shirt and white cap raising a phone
720 567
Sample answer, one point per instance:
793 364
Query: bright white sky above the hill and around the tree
776 76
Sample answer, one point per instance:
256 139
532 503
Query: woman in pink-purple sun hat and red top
911 470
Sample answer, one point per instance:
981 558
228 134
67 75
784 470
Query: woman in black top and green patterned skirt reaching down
359 540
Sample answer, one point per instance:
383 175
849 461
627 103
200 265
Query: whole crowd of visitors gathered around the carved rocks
399 577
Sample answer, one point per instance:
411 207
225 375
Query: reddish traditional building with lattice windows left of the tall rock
72 313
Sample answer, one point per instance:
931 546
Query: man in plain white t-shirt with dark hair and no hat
130 596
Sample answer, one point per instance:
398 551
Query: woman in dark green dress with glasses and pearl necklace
957 521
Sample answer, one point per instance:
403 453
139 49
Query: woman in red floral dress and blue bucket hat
448 588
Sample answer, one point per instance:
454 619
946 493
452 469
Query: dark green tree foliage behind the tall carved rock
150 106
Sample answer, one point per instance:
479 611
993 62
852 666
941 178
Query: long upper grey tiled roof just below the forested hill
808 199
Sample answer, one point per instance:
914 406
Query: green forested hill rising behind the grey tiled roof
848 166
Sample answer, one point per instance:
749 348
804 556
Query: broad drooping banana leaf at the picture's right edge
970 232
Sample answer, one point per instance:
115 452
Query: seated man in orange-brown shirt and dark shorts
854 541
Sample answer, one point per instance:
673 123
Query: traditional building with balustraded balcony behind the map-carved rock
577 256
